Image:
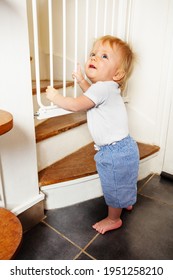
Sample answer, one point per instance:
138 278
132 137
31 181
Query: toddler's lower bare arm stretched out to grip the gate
81 103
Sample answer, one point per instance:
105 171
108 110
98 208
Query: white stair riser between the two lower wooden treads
57 147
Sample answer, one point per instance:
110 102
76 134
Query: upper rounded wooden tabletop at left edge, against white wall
6 121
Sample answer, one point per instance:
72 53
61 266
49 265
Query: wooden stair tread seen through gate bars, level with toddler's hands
45 83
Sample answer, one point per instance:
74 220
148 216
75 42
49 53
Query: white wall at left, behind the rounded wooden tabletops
17 147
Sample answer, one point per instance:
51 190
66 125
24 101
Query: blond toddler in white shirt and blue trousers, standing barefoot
117 158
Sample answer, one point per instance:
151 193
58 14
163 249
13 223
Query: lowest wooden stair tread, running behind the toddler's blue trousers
81 164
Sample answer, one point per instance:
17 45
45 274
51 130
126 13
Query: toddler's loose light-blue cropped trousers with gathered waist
118 166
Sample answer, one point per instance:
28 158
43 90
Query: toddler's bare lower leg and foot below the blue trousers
111 222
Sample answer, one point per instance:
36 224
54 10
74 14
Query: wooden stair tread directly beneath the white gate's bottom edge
56 125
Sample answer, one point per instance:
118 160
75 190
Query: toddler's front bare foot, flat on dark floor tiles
107 224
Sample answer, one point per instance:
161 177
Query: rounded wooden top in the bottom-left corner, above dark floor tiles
10 234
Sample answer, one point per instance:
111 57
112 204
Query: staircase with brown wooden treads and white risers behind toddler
65 152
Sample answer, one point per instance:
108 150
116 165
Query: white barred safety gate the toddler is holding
92 19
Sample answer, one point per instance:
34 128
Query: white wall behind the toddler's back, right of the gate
150 88
